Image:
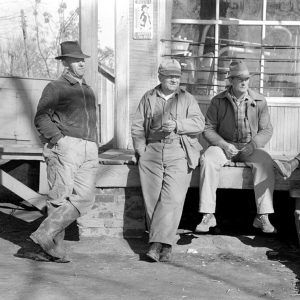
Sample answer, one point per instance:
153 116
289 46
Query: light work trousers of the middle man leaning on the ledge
165 178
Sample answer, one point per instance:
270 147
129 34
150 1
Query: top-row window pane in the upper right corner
288 10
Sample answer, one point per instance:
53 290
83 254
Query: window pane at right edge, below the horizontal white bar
282 61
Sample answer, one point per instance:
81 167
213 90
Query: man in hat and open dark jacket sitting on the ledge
237 125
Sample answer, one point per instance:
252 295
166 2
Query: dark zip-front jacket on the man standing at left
66 108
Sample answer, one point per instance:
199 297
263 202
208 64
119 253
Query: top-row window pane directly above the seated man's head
241 9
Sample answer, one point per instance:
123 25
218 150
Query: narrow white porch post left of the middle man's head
122 74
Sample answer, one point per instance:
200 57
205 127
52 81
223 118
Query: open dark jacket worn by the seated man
220 120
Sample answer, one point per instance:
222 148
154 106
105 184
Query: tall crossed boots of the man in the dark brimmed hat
53 225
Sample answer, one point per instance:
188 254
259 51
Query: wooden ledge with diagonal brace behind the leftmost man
29 153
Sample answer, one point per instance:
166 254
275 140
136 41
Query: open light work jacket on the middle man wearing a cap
189 123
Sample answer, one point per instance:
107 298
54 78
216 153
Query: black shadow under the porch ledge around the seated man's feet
235 214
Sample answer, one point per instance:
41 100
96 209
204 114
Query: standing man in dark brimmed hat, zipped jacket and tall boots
66 120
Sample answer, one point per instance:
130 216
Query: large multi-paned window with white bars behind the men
208 34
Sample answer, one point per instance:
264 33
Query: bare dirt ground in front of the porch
209 266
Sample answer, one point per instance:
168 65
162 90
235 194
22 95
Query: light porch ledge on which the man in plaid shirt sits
118 169
